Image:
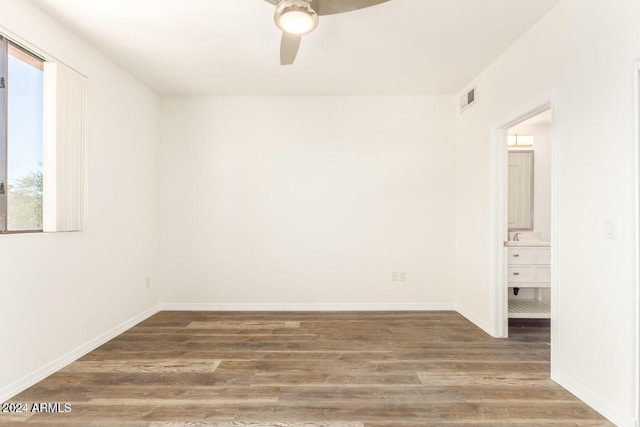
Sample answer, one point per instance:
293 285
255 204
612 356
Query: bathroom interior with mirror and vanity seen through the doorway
529 215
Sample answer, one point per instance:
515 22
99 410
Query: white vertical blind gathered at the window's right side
64 151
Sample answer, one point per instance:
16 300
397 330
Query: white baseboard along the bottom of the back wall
306 307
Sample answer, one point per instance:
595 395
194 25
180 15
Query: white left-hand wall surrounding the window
61 291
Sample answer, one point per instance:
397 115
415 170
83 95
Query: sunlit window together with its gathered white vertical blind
42 143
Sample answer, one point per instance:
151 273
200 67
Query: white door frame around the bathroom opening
499 233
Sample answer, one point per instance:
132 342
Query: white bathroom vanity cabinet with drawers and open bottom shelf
529 267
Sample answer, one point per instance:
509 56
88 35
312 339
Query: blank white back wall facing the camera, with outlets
304 201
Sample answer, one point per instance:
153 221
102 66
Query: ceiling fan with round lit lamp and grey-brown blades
296 18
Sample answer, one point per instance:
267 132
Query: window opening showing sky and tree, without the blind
21 174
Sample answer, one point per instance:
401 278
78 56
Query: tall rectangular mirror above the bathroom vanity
520 190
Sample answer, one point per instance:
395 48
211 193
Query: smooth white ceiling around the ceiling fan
231 47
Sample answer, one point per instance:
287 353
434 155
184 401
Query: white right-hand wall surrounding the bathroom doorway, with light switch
583 51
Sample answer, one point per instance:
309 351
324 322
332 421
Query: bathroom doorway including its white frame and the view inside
524 288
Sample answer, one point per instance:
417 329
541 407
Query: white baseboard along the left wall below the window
38 375
